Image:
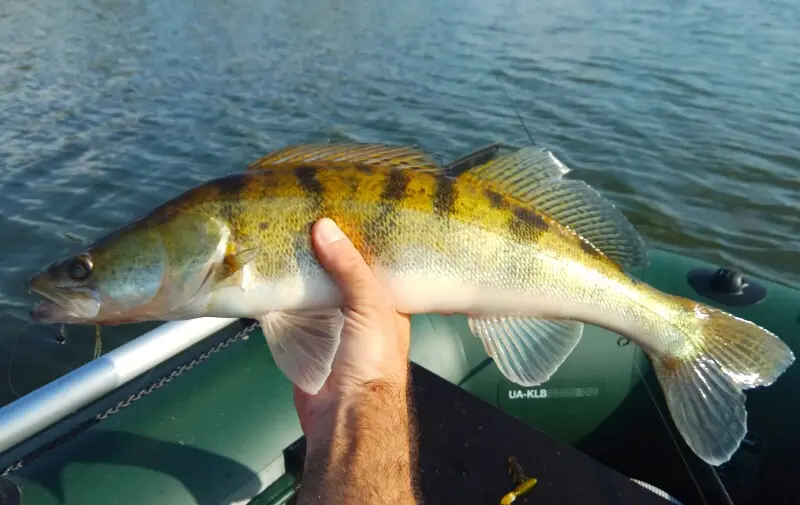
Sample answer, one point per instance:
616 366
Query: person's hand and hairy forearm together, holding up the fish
361 441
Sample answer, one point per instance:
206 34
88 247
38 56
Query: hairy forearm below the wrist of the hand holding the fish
366 453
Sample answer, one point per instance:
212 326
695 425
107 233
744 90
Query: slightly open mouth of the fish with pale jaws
63 305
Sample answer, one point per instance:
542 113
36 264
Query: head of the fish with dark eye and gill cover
144 272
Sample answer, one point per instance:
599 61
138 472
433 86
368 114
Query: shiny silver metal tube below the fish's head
55 400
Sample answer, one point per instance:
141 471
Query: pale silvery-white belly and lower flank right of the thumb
478 273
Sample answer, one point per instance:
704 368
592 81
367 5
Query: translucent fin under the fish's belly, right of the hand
527 351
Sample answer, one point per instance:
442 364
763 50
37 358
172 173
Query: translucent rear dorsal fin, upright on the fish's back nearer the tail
536 176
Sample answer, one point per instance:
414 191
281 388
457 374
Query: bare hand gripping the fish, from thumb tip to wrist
372 358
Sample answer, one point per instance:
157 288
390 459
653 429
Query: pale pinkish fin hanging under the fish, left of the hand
303 344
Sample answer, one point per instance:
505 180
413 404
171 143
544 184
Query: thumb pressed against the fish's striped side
344 263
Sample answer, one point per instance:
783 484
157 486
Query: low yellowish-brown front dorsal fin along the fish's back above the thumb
367 154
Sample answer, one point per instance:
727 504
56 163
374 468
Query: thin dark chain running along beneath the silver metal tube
127 402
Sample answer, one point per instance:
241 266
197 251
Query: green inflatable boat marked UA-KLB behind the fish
213 421
